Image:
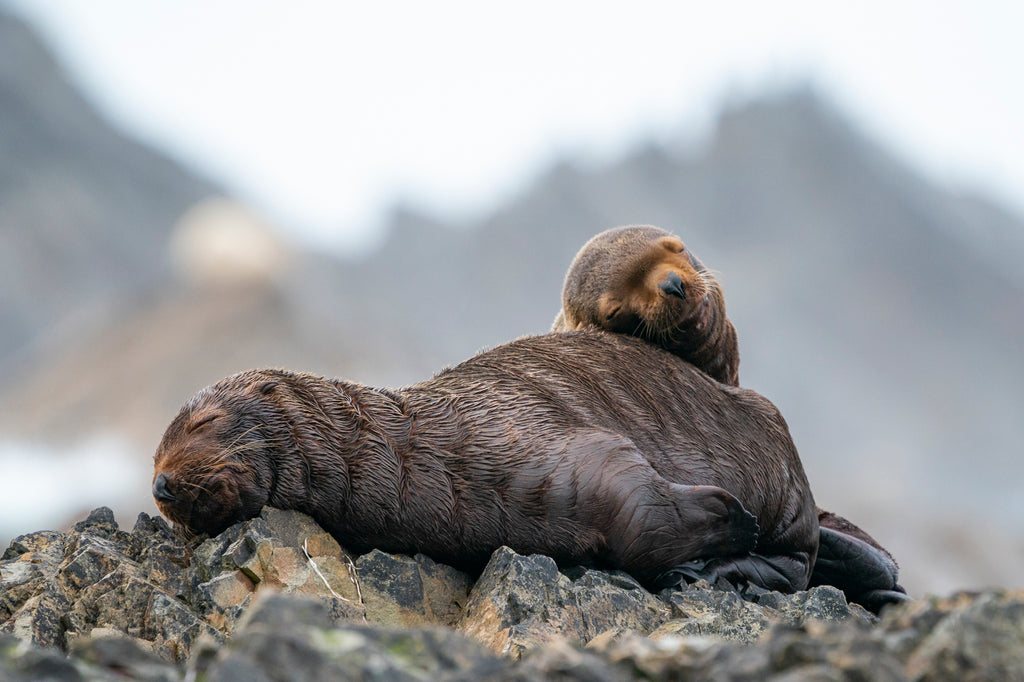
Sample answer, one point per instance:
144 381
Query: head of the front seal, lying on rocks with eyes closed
216 464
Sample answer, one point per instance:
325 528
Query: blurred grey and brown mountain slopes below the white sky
883 314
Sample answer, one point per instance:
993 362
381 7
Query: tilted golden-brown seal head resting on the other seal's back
643 281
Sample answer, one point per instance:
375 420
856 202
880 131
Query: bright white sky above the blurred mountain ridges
323 113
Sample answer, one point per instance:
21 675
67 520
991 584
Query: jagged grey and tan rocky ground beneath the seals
277 599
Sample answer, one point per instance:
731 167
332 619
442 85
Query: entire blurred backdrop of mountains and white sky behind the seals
190 190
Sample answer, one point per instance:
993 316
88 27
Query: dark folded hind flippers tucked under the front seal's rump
785 573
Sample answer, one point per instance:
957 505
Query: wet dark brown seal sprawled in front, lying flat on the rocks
577 446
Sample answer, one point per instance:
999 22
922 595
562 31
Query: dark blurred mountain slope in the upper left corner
86 212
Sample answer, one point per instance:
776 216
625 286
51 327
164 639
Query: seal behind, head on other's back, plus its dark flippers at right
643 281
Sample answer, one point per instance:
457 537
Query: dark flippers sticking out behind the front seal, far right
868 575
